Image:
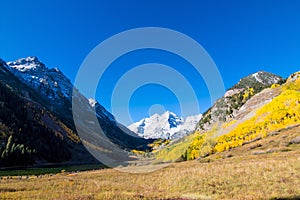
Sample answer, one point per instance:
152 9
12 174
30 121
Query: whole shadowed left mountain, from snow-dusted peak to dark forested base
36 117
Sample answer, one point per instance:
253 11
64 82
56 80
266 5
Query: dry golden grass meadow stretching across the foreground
241 176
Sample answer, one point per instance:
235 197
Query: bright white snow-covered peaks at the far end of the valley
166 126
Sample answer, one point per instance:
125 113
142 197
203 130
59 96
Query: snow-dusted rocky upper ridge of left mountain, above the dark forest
56 92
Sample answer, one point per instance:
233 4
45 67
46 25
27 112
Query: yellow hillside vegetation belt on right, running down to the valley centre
280 112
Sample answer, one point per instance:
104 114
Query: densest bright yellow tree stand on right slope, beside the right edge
282 111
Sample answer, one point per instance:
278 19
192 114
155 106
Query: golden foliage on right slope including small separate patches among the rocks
282 111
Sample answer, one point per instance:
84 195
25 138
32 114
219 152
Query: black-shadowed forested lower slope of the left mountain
18 117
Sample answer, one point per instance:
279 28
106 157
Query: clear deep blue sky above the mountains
242 37
